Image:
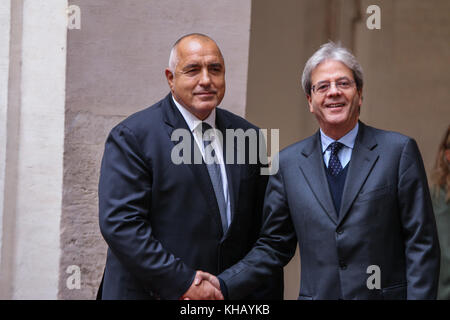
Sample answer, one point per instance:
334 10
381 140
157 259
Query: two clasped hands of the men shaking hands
204 287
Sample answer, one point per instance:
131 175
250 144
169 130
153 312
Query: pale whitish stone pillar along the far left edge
32 183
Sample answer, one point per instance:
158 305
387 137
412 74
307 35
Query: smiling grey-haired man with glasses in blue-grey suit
354 197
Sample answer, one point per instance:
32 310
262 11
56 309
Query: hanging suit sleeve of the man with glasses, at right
419 226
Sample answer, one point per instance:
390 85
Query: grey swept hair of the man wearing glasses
332 51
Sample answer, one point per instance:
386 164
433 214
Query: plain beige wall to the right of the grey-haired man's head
407 70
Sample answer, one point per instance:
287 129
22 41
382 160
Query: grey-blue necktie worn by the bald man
216 177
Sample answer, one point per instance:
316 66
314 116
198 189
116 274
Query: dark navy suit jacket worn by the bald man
161 221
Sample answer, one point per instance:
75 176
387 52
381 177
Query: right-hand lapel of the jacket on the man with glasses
364 156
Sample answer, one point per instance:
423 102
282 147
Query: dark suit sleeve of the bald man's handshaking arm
124 208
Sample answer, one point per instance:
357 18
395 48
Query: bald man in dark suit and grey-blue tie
164 221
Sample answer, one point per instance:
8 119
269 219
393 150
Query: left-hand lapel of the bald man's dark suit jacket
174 120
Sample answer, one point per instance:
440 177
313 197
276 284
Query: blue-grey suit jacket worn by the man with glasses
385 219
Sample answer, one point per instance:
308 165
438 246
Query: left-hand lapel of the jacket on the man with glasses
311 164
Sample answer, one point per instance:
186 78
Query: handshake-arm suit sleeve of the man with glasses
274 248
